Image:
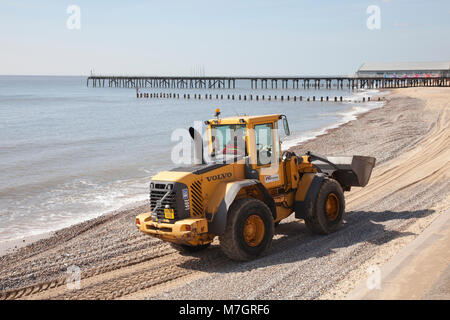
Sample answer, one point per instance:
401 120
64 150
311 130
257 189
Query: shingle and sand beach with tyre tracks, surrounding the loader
409 136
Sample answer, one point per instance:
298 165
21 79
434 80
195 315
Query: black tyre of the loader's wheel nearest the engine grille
232 241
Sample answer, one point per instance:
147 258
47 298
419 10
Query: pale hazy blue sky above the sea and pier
229 37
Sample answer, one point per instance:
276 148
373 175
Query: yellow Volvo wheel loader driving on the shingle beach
241 186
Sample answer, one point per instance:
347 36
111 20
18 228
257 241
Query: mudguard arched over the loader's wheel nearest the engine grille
225 195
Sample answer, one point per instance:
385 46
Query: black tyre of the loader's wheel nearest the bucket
317 219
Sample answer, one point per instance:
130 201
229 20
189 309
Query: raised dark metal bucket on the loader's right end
353 171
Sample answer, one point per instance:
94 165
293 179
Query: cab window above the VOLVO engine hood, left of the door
228 139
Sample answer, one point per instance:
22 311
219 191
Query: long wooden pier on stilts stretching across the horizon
264 82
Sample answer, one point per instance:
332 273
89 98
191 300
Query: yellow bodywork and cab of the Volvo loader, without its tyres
190 205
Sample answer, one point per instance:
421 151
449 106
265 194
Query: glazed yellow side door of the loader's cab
265 153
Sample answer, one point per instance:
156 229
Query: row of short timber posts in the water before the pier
241 97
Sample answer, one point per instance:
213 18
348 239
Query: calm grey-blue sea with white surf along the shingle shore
69 153
